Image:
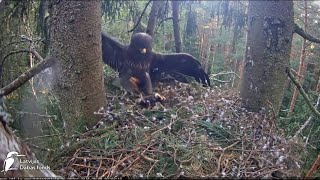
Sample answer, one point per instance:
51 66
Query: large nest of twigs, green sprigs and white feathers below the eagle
197 132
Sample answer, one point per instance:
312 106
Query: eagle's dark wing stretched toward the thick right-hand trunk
178 63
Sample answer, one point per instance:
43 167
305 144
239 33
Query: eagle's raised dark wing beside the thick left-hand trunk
113 52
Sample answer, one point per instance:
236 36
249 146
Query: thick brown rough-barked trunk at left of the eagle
75 29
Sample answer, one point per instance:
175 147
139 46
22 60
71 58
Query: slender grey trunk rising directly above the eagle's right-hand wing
176 26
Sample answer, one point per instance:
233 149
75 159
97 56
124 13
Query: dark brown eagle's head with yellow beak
141 44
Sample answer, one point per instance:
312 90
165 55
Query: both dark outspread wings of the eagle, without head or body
114 54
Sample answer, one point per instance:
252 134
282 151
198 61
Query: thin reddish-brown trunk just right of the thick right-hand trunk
301 65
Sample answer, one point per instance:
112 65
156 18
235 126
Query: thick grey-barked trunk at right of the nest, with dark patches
267 54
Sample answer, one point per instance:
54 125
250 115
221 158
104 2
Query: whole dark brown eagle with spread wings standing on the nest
139 67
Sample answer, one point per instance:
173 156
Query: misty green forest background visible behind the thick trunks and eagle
214 32
